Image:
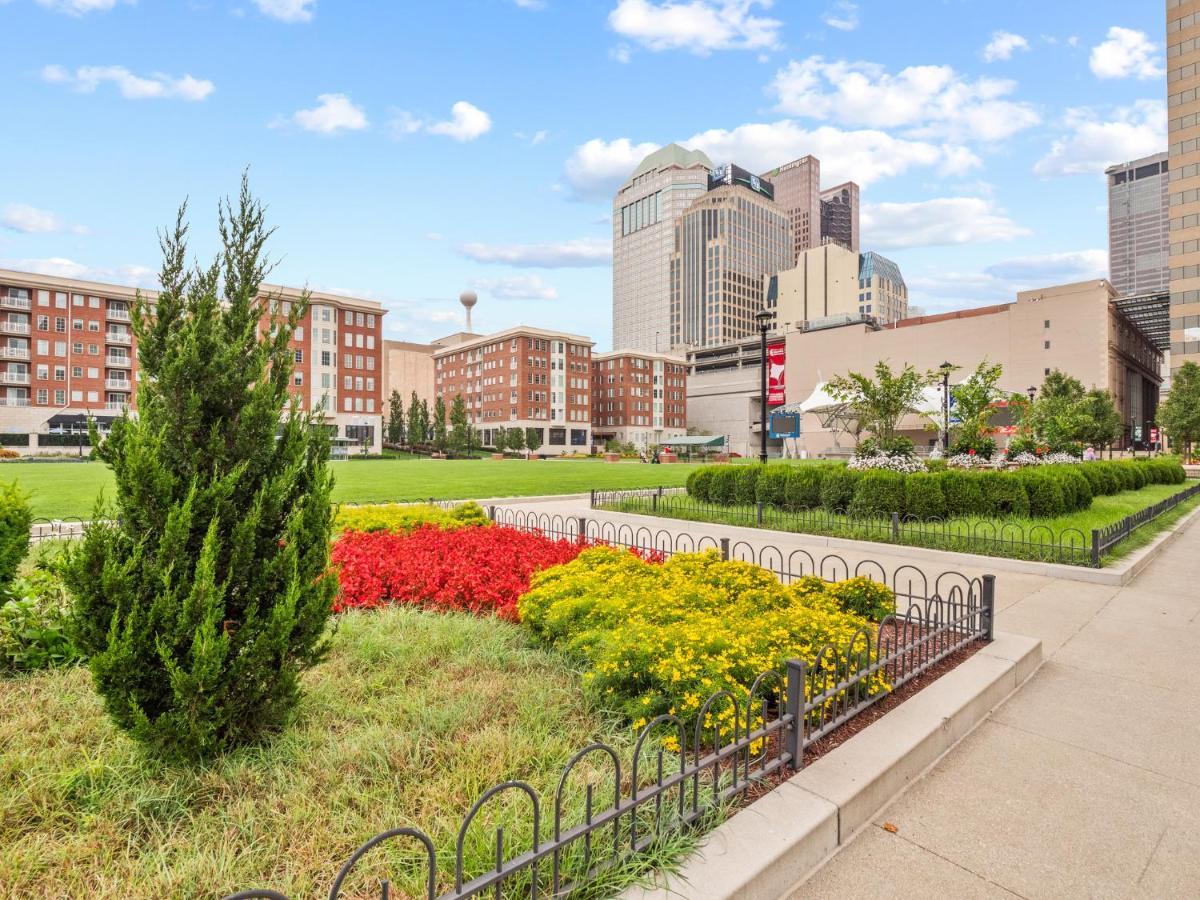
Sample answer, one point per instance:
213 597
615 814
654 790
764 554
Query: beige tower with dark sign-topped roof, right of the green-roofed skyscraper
725 243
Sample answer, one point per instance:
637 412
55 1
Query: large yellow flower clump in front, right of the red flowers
663 639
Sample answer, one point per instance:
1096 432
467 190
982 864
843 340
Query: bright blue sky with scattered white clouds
409 151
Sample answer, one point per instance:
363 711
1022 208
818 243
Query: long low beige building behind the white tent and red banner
1073 328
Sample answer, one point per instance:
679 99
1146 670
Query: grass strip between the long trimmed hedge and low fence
1066 539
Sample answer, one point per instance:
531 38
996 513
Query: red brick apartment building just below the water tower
523 377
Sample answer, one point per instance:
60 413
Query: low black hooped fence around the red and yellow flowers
709 765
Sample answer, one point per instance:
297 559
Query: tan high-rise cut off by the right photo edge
1184 111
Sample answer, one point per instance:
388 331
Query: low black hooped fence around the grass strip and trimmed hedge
1000 538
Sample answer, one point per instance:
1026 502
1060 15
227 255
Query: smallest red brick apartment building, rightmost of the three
639 398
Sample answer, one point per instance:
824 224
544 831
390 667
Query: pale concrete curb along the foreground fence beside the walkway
771 847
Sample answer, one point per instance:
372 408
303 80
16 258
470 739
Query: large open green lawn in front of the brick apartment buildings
61 490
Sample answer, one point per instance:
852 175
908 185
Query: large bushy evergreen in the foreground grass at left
203 593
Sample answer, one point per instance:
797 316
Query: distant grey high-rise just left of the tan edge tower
1139 239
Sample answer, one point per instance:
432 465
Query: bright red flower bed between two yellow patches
477 571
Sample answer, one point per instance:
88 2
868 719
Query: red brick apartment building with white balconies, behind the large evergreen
67 351
